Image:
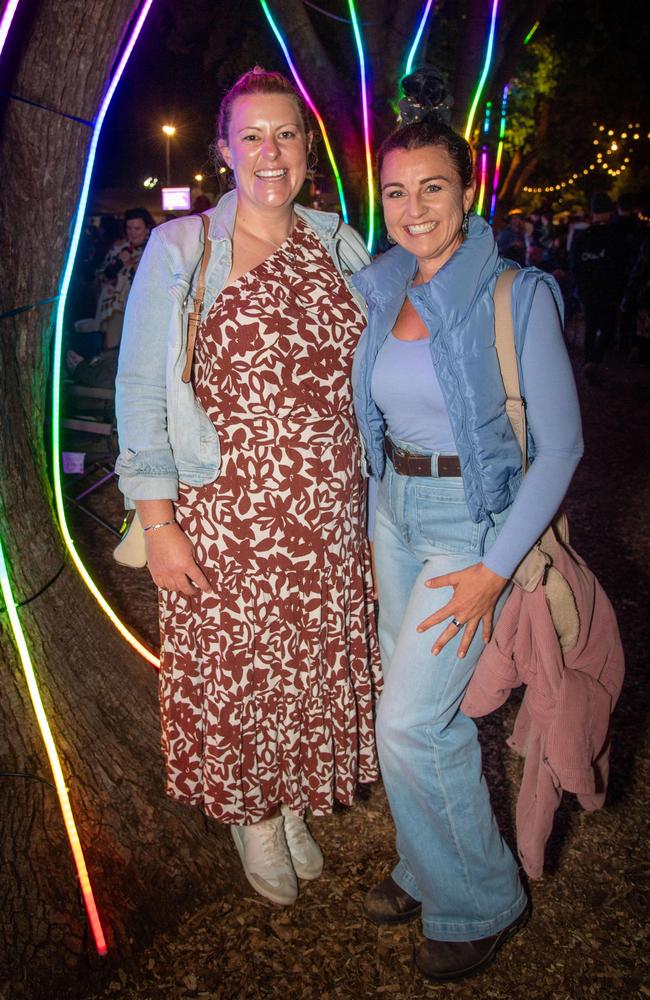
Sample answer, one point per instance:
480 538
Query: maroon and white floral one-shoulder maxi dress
268 684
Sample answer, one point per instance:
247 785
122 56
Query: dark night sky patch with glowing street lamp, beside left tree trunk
178 74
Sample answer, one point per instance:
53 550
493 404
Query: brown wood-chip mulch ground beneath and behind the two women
588 933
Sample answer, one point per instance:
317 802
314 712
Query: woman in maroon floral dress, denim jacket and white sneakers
248 484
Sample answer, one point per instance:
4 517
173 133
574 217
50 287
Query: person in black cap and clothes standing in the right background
598 262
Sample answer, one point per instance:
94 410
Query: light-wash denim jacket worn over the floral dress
165 435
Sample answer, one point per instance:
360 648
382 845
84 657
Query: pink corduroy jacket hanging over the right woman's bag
562 727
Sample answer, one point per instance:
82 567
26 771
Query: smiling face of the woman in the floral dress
266 149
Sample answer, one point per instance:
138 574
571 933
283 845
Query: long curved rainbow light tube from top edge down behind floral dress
58 342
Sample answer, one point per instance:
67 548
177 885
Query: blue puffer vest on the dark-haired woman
457 308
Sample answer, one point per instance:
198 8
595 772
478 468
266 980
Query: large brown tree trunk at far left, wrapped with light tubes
147 856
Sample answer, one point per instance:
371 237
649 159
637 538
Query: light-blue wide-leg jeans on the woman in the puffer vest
451 854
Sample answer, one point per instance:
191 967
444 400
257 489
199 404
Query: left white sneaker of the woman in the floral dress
267 863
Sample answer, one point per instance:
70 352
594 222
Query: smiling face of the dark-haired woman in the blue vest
424 203
